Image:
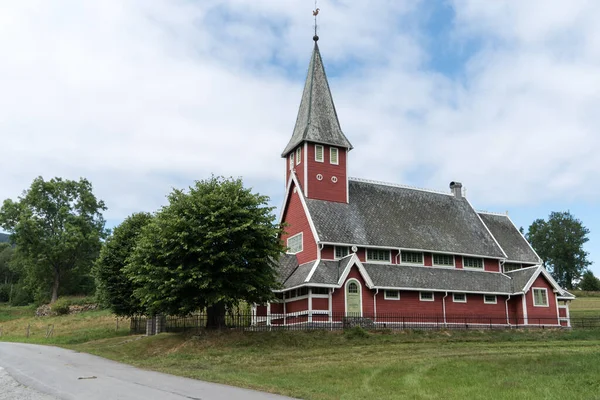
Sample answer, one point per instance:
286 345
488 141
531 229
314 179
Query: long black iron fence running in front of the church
325 321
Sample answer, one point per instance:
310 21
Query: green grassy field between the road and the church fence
517 364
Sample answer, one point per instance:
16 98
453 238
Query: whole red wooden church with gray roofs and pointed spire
393 254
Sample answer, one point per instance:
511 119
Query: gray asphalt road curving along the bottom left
46 372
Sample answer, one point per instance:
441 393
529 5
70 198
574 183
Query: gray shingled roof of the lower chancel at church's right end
509 238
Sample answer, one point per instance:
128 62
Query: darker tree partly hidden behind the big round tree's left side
114 288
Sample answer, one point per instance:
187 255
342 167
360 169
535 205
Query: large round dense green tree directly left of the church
210 247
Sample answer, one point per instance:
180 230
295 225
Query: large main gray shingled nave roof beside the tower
391 216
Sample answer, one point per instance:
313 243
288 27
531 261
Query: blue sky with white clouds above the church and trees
143 96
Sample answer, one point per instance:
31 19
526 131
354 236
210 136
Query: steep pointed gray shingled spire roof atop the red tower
317 119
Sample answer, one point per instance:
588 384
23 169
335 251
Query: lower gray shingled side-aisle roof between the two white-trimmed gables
455 280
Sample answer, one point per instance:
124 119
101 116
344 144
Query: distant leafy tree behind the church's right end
559 242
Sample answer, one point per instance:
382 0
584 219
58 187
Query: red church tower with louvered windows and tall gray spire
318 150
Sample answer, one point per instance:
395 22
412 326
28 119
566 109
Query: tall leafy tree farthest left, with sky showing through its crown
57 226
